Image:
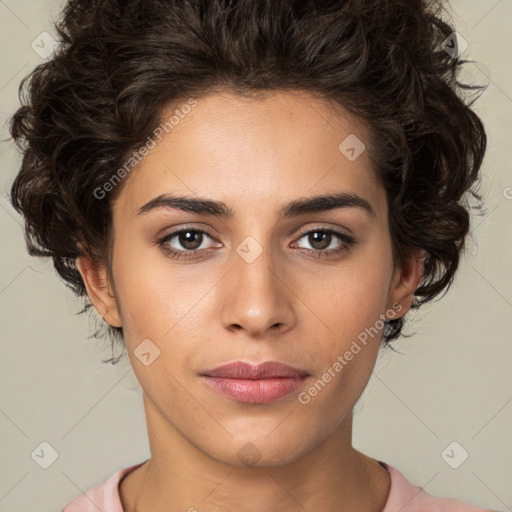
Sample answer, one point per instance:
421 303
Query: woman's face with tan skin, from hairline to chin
269 282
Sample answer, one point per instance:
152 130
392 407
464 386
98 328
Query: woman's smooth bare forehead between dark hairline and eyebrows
255 151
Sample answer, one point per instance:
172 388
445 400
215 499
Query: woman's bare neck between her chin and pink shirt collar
181 476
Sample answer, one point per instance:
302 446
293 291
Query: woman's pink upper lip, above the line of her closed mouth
265 370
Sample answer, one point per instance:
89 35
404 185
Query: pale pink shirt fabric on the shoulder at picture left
104 496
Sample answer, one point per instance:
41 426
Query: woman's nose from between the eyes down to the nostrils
257 298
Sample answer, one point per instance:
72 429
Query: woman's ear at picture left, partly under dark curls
99 289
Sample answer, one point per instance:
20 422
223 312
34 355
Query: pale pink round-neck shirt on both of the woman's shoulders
403 497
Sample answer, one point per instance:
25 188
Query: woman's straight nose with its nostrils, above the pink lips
257 296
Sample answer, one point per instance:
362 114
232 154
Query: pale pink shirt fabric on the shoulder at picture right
405 497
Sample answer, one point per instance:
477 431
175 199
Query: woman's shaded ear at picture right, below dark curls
405 281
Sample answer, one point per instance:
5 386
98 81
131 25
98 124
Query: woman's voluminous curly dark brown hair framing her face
120 63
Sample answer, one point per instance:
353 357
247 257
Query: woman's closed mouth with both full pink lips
255 384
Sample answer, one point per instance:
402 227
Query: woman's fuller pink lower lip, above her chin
250 391
